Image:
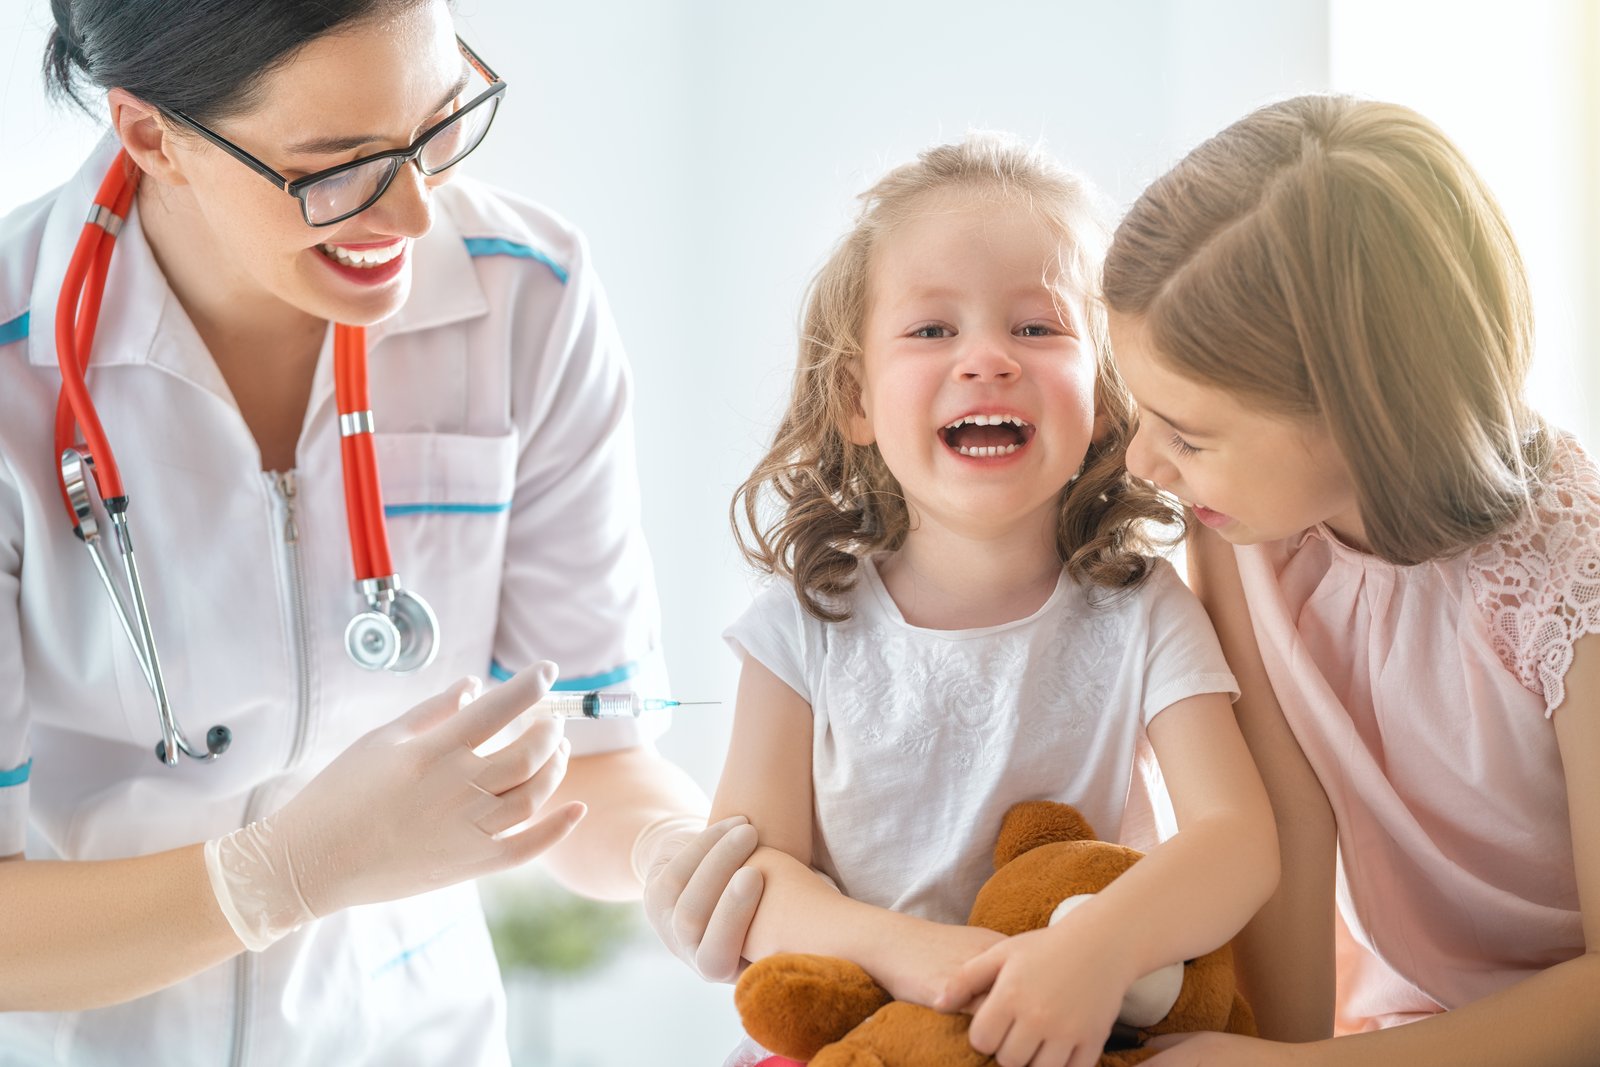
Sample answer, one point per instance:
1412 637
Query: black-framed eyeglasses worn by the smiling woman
338 193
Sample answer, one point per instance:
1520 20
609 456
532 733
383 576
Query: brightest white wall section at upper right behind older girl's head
1518 87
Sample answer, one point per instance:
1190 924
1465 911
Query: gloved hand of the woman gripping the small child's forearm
698 895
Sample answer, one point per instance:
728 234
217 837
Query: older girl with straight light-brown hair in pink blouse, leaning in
1326 322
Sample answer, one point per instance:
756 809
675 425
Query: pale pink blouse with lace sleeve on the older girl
1423 700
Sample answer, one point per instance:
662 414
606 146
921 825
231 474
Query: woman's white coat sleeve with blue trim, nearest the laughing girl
578 585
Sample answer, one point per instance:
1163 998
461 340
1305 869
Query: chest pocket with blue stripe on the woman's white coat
447 506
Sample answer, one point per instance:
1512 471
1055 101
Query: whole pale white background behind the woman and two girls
711 150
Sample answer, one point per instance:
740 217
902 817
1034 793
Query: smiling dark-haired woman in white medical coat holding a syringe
207 913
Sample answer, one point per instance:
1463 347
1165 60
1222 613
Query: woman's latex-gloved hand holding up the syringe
409 807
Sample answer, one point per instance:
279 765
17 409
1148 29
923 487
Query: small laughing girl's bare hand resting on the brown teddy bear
1052 1001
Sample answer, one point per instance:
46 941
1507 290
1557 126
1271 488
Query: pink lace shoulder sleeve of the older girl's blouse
1538 585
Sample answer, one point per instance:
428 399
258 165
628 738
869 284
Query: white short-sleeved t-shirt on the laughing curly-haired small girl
924 740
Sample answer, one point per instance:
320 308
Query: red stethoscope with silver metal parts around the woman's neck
396 631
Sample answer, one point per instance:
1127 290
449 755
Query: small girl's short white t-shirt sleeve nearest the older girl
1183 657
